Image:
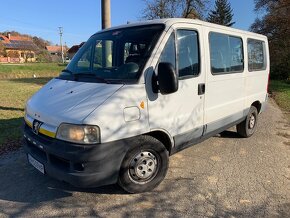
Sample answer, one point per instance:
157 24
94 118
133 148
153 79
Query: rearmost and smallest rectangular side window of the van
256 55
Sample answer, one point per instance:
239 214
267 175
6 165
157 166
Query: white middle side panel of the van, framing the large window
225 93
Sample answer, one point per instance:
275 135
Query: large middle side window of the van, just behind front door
226 54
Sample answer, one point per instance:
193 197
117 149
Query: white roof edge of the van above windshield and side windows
170 21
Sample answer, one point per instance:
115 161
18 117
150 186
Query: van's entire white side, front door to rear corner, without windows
228 96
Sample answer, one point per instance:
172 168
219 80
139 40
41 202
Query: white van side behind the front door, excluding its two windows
230 95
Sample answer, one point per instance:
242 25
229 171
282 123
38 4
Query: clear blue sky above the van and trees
81 19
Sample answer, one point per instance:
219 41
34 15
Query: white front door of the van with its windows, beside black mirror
181 114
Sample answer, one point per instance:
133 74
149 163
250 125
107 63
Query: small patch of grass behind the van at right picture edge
281 93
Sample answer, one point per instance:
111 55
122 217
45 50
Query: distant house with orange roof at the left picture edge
18 49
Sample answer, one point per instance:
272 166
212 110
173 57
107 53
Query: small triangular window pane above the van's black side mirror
168 53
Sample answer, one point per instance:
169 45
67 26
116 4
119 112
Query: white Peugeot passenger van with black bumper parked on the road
134 95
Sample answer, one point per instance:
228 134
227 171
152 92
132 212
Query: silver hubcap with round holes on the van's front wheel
143 166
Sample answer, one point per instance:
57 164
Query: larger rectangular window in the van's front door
188 53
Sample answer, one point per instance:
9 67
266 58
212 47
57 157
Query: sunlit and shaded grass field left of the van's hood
17 84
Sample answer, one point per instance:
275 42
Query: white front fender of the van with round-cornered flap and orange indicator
122 116
